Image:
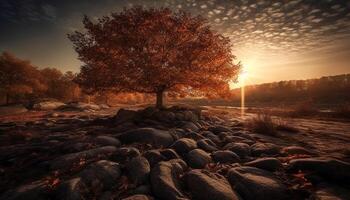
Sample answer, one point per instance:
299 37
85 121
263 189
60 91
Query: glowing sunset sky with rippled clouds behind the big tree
274 40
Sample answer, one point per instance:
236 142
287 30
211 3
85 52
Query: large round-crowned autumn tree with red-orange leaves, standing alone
154 51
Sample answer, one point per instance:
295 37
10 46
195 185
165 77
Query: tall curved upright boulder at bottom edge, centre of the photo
165 180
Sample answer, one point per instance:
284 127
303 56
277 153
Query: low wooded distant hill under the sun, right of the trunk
324 90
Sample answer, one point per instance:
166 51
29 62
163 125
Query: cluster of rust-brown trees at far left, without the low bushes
20 80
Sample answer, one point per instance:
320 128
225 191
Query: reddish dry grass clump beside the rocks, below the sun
264 124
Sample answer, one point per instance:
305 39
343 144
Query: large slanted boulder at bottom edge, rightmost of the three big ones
256 184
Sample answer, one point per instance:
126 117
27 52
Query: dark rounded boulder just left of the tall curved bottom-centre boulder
138 170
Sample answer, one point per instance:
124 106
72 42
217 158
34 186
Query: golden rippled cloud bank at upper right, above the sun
274 26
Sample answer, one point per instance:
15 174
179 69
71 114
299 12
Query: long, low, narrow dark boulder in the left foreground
67 161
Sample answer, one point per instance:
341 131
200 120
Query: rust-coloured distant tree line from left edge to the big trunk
21 82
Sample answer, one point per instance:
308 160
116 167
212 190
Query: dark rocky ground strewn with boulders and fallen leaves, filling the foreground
178 153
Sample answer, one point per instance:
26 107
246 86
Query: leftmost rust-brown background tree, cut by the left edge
17 76
